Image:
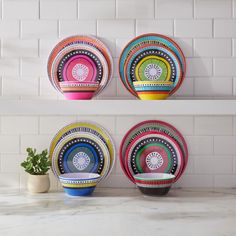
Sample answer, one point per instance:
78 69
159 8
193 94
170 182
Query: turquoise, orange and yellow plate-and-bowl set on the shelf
152 66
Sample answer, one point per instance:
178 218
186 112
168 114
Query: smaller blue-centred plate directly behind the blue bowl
81 152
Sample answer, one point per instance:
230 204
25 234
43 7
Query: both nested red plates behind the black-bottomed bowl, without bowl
153 146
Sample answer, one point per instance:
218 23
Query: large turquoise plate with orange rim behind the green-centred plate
145 40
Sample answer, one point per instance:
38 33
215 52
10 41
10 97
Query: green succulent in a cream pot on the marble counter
37 166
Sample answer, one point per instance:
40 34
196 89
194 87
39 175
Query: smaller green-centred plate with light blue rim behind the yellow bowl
139 66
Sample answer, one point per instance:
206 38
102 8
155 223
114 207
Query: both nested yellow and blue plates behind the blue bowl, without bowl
82 147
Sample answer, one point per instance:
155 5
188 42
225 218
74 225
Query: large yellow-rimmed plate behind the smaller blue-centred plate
89 128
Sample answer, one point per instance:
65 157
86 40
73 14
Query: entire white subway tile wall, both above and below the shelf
205 30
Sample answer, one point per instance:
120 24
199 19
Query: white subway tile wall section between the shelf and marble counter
211 141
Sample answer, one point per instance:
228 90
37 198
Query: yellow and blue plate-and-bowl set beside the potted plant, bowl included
82 154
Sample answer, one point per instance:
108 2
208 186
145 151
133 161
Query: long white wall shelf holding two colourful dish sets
118 107
